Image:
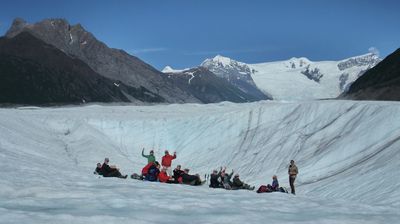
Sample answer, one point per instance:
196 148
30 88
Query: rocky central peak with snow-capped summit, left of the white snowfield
216 85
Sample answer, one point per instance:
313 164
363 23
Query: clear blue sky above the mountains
183 33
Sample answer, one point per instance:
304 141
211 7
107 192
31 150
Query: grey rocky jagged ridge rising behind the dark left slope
110 63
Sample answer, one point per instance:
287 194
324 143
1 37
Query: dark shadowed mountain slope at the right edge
382 82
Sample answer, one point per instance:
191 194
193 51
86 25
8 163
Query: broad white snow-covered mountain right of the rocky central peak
302 79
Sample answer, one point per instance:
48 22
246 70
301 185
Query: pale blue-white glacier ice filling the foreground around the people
347 154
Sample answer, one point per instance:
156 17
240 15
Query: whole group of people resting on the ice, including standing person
163 173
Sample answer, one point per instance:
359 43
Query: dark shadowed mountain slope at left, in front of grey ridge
33 72
